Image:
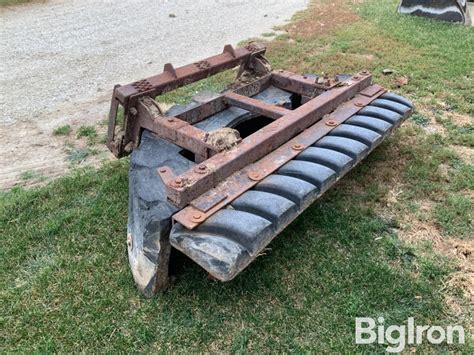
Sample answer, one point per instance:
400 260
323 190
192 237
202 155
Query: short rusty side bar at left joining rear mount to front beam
172 129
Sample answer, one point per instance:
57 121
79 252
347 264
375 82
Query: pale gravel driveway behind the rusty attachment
59 61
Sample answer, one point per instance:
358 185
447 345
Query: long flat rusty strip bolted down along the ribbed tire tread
215 199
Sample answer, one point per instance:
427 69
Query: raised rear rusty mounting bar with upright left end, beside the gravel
127 96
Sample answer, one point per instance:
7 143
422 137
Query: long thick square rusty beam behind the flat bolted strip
264 141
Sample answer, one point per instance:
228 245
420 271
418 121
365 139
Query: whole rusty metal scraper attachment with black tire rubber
222 166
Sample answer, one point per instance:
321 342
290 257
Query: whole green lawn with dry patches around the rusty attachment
393 239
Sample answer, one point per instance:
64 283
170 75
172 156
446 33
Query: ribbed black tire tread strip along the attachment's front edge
230 239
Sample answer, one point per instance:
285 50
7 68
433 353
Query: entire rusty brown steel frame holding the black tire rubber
221 176
